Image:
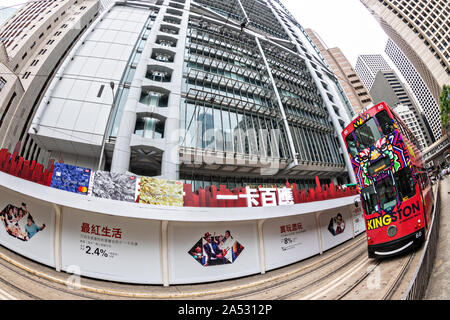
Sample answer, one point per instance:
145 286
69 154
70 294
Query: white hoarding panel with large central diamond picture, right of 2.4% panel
202 252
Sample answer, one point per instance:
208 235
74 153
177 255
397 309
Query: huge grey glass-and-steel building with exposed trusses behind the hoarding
211 92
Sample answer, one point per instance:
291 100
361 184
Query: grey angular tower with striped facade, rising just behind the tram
388 87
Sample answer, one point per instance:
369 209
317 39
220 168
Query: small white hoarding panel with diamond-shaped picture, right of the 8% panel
336 227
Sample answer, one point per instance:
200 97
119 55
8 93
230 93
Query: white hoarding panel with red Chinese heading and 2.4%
111 247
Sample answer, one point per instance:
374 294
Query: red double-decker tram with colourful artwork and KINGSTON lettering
395 189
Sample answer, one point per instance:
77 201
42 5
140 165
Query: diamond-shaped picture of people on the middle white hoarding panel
214 249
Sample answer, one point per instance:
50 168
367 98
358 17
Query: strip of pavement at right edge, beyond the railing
439 285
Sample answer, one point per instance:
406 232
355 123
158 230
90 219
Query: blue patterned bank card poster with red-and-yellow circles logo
71 178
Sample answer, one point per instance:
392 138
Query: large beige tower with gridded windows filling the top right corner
421 30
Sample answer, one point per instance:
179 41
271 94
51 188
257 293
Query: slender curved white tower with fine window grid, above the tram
418 87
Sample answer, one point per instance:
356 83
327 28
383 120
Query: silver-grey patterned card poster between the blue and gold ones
112 185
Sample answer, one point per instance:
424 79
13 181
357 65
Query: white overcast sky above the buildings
346 24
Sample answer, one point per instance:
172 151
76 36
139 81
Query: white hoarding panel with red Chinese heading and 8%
290 239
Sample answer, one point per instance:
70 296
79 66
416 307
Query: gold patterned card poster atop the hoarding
161 192
